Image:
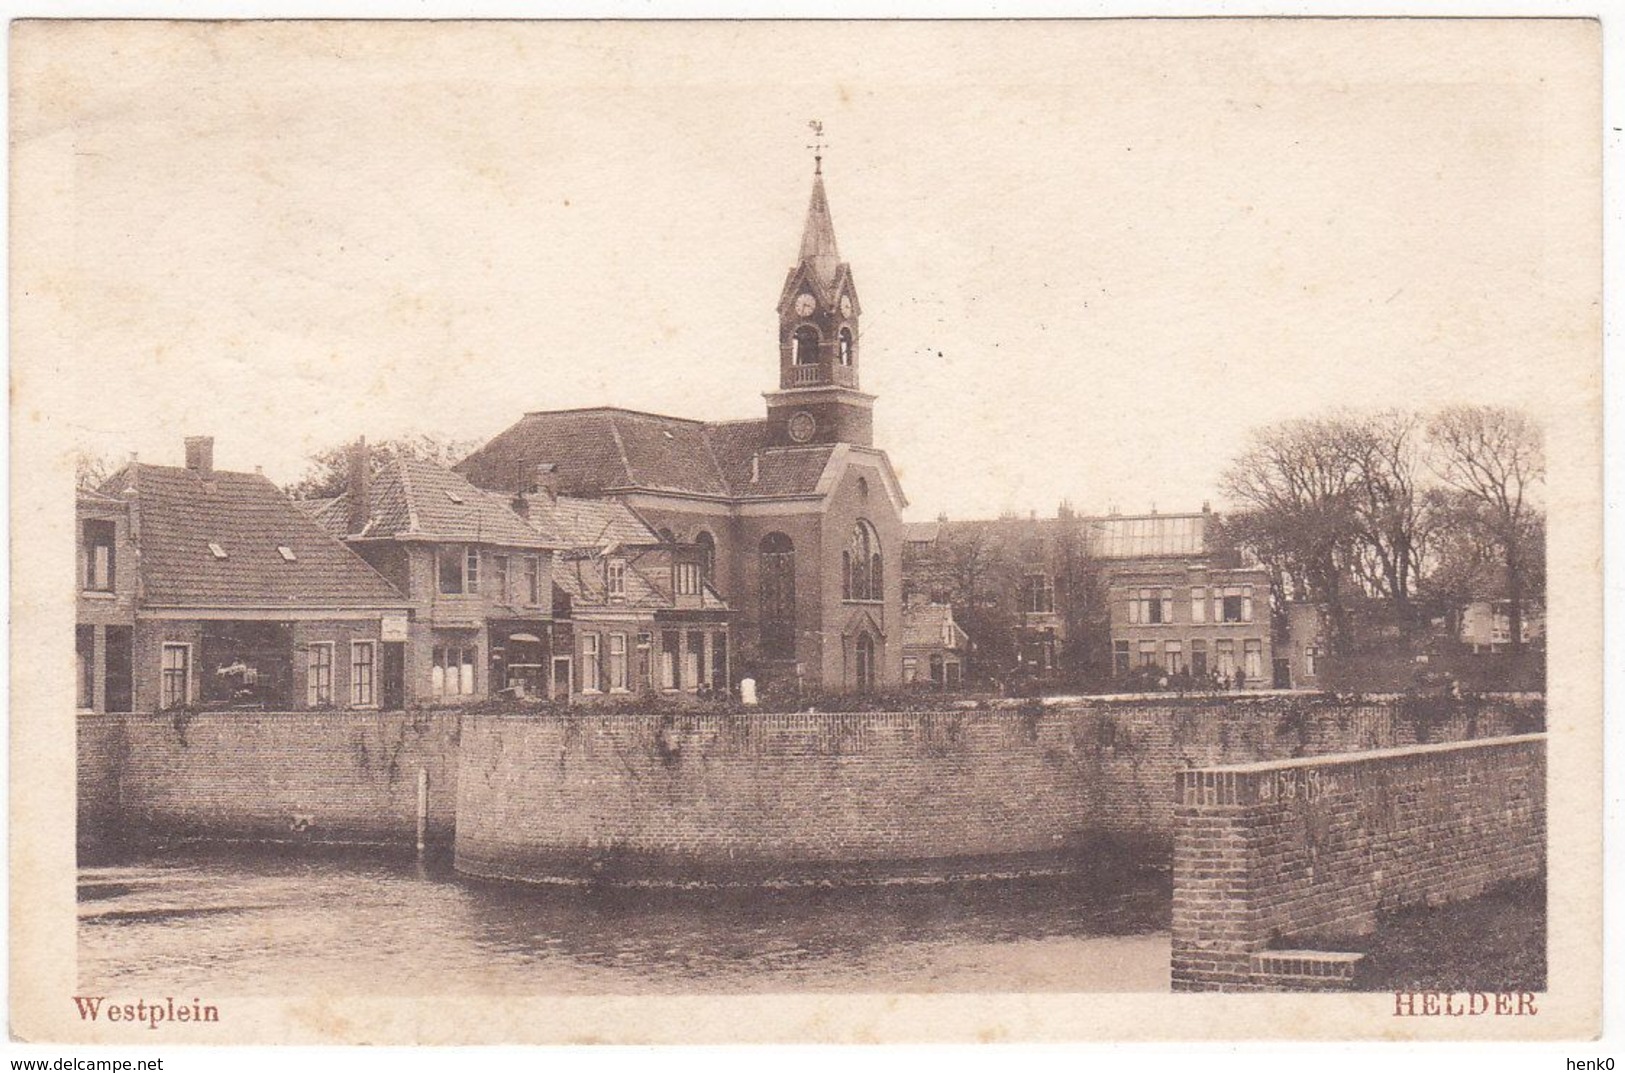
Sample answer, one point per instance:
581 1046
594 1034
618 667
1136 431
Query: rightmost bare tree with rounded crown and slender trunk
1496 461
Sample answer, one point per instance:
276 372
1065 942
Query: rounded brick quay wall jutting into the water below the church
769 796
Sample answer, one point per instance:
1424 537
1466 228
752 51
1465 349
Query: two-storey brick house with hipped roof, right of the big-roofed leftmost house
479 576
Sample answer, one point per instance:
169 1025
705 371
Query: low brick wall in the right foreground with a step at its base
1307 853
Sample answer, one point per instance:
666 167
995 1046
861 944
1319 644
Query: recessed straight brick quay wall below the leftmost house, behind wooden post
301 776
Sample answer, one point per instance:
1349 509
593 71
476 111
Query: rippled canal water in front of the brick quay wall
275 924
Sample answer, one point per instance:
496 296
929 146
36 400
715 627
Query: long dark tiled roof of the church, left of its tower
599 451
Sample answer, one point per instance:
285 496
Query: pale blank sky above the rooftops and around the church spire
1093 256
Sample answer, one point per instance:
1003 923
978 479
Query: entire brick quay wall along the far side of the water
756 794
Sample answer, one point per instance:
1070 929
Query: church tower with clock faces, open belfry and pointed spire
820 345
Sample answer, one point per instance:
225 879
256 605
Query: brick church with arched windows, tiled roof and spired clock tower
795 516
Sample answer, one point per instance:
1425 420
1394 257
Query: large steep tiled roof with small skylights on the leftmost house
248 518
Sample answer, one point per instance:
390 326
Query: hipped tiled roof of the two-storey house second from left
420 500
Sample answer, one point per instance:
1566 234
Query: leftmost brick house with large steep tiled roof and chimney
210 589
